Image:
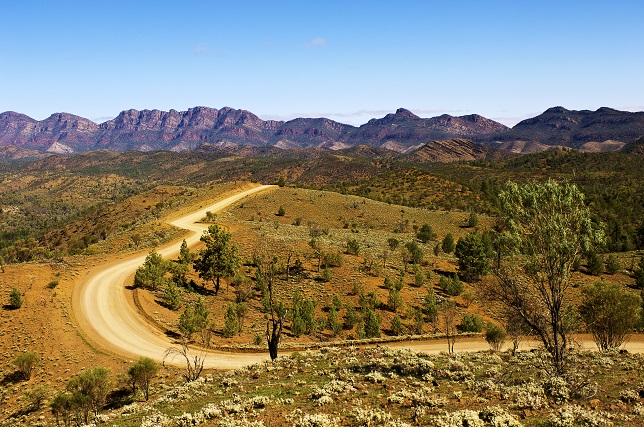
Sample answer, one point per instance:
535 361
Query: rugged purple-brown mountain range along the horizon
208 129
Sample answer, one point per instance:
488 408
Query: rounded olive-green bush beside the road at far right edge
610 313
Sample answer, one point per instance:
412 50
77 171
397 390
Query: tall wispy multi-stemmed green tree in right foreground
548 229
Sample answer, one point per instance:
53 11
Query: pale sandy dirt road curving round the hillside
110 321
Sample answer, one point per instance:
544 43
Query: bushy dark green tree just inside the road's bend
219 258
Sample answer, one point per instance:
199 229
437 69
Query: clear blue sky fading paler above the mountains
346 60
